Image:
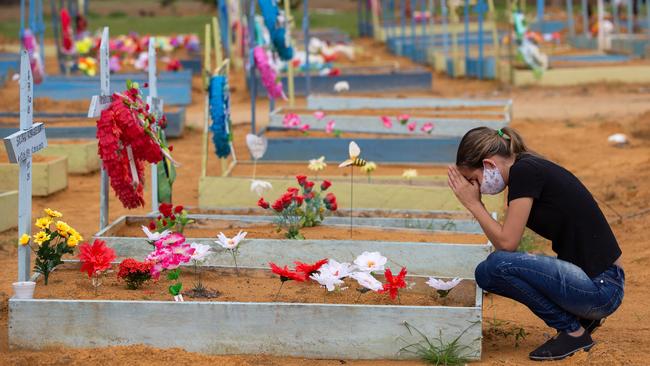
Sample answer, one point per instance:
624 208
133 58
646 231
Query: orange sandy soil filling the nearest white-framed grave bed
249 286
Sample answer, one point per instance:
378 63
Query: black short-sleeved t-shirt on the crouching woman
564 212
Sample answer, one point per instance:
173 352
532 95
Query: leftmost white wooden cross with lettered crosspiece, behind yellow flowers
20 147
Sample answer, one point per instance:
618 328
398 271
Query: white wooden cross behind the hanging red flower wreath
97 104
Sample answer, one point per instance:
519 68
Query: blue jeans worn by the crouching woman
556 291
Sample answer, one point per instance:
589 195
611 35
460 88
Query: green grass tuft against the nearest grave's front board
435 351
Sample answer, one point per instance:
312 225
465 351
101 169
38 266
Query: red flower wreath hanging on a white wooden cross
127 122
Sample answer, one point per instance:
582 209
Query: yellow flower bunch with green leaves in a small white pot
53 241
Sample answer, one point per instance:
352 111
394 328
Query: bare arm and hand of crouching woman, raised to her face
503 237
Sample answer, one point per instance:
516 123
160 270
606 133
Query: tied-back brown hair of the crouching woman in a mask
482 142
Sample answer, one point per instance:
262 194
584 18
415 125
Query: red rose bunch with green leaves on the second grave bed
295 211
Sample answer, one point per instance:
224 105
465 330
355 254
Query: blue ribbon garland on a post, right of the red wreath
220 114
